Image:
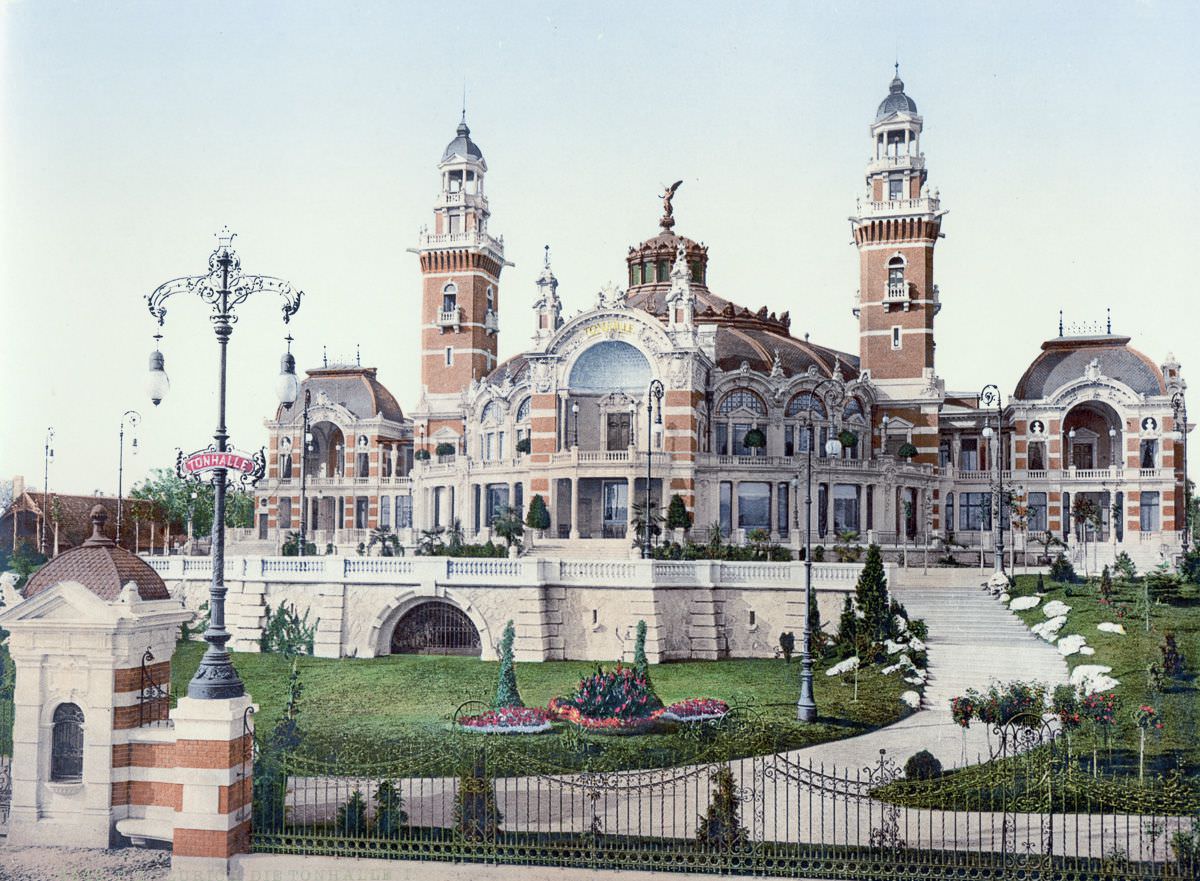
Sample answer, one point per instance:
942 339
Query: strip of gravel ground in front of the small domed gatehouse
77 865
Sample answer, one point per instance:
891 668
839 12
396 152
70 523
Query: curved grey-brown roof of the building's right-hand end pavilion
1066 358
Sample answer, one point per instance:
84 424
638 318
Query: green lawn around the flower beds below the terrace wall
400 706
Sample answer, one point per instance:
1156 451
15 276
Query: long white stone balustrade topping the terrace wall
507 572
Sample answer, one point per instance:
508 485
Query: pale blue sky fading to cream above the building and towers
1064 142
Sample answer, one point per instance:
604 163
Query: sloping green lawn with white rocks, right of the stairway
1130 656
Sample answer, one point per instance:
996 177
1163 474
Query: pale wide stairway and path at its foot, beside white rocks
974 642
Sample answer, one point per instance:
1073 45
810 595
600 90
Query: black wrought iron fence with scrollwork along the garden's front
765 816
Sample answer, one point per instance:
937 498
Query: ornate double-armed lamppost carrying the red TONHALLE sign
224 289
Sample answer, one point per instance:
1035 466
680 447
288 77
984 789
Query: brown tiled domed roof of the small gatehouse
100 566
